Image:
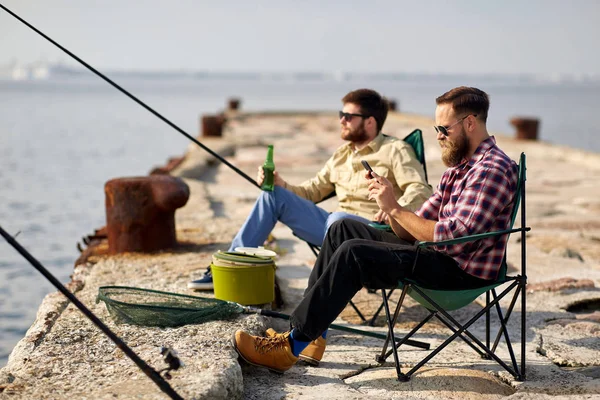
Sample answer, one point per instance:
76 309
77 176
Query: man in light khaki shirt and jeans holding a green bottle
361 121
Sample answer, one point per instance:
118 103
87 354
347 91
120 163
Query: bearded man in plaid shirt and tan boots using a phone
475 195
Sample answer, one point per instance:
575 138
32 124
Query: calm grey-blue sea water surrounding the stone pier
61 140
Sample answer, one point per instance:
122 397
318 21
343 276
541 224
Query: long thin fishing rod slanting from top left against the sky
134 98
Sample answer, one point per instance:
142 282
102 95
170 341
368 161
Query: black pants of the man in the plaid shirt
355 255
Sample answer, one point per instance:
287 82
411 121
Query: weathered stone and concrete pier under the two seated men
63 356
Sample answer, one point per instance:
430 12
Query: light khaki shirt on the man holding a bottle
343 173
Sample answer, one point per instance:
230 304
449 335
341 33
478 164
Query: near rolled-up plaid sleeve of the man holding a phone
483 197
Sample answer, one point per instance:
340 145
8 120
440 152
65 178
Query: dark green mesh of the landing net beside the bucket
145 307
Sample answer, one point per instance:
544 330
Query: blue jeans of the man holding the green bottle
303 217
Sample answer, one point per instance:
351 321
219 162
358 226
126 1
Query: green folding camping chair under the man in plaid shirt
439 302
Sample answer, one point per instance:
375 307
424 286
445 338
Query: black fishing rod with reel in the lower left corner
148 370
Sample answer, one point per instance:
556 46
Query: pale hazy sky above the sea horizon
427 36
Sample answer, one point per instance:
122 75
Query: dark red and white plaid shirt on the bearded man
475 197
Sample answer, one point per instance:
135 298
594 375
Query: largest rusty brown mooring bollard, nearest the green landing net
140 212
